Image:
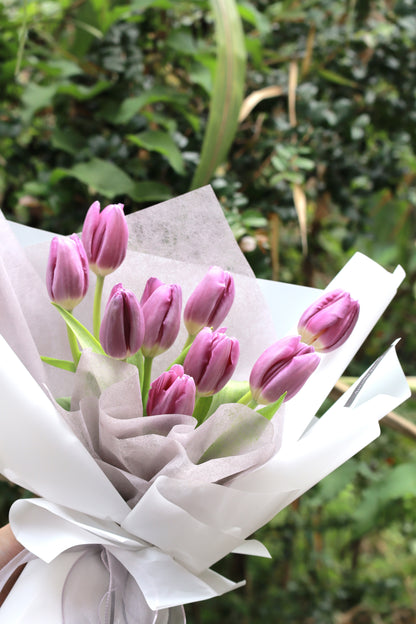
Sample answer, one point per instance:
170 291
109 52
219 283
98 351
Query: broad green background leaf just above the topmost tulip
102 176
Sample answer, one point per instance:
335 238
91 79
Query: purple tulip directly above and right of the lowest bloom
211 360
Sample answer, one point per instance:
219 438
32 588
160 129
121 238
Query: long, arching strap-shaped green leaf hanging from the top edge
227 93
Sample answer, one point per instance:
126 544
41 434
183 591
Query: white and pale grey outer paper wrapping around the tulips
179 528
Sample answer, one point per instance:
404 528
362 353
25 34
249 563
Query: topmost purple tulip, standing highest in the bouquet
105 237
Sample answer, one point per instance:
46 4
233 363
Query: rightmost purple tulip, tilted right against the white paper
328 322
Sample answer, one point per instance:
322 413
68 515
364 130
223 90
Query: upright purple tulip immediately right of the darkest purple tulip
161 305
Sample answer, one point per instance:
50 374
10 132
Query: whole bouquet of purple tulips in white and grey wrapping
158 441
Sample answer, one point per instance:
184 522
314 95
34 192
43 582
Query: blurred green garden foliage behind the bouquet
302 117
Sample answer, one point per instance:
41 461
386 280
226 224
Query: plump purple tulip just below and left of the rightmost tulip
284 367
